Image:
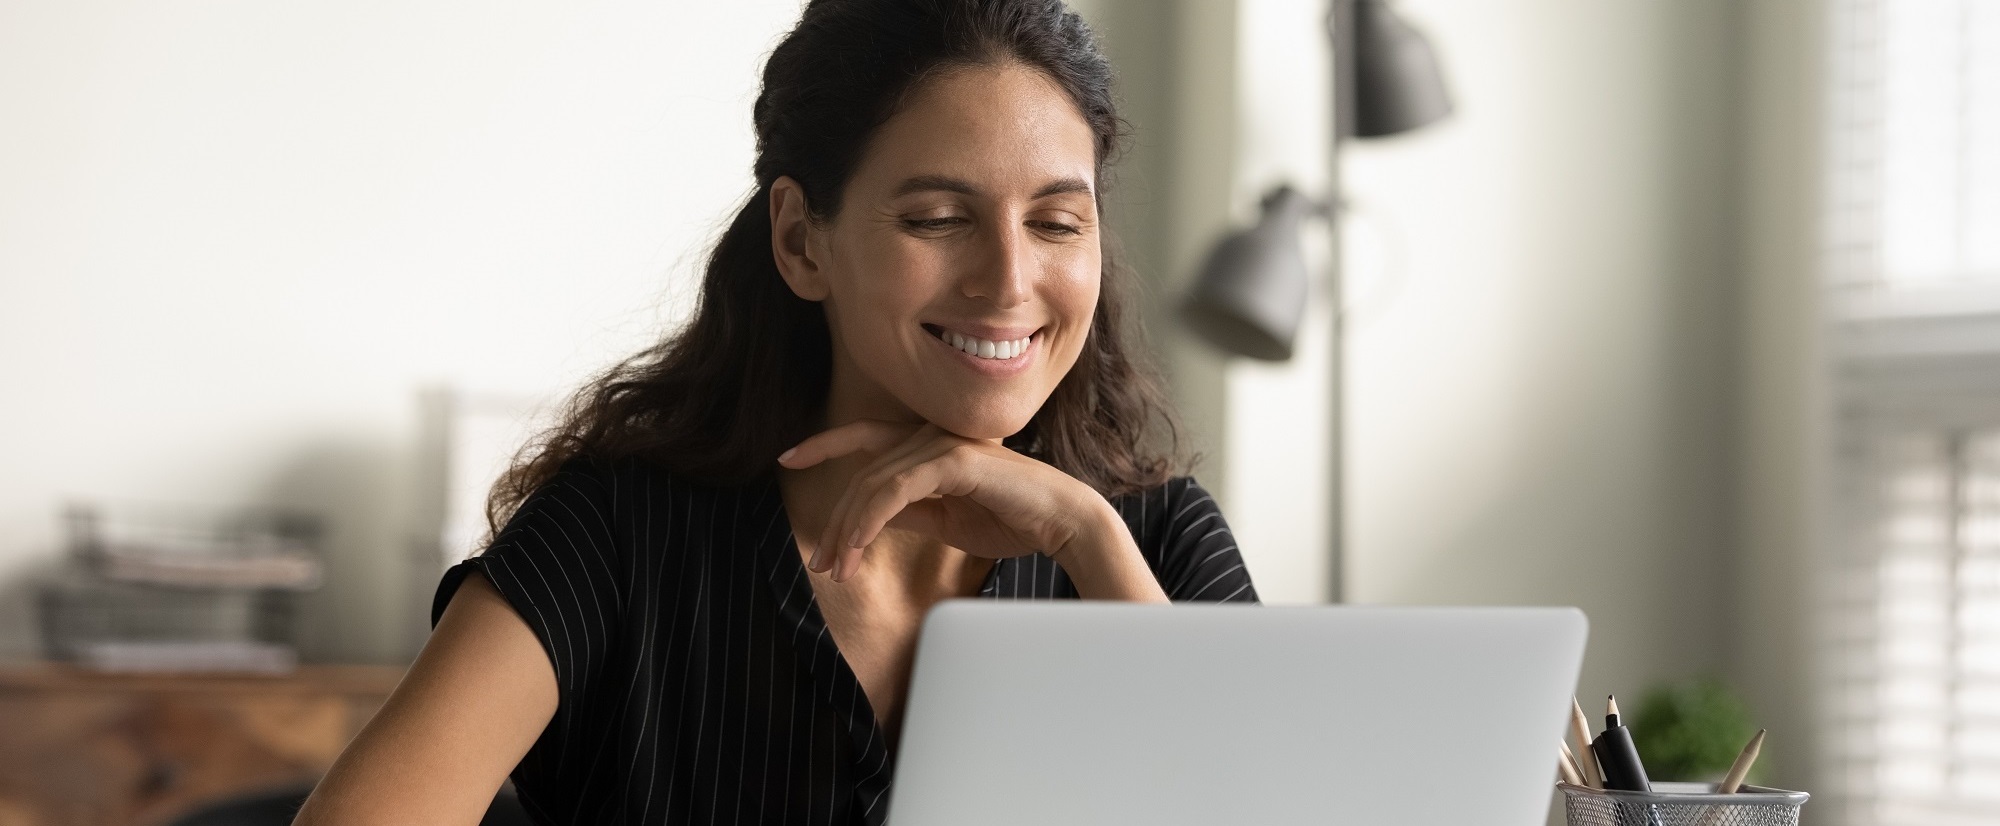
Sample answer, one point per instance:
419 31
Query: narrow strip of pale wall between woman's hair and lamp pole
1229 99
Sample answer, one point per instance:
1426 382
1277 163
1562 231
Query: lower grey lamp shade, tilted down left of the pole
1251 295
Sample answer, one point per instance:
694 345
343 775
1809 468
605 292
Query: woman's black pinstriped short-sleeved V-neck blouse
697 679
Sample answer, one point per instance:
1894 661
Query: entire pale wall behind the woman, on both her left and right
235 239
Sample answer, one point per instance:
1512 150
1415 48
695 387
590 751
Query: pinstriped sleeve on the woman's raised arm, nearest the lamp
1189 543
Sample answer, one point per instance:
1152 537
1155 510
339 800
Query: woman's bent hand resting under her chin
977 497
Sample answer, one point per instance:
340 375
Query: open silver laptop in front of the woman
1103 713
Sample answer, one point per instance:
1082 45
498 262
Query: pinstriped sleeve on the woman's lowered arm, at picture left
557 563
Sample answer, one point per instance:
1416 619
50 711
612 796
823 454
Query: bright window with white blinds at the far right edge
1913 267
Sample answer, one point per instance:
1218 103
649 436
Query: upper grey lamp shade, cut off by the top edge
1397 81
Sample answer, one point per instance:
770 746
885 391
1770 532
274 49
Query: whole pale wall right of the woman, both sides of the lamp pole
1581 325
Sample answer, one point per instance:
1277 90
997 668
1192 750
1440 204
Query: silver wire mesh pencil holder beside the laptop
1683 805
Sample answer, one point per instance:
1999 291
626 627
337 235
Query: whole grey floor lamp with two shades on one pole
1251 293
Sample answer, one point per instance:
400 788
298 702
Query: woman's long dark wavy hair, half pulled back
749 375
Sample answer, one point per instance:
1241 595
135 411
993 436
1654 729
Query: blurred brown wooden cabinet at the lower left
109 751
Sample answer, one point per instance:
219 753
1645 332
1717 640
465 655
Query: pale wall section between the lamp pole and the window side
1541 403
